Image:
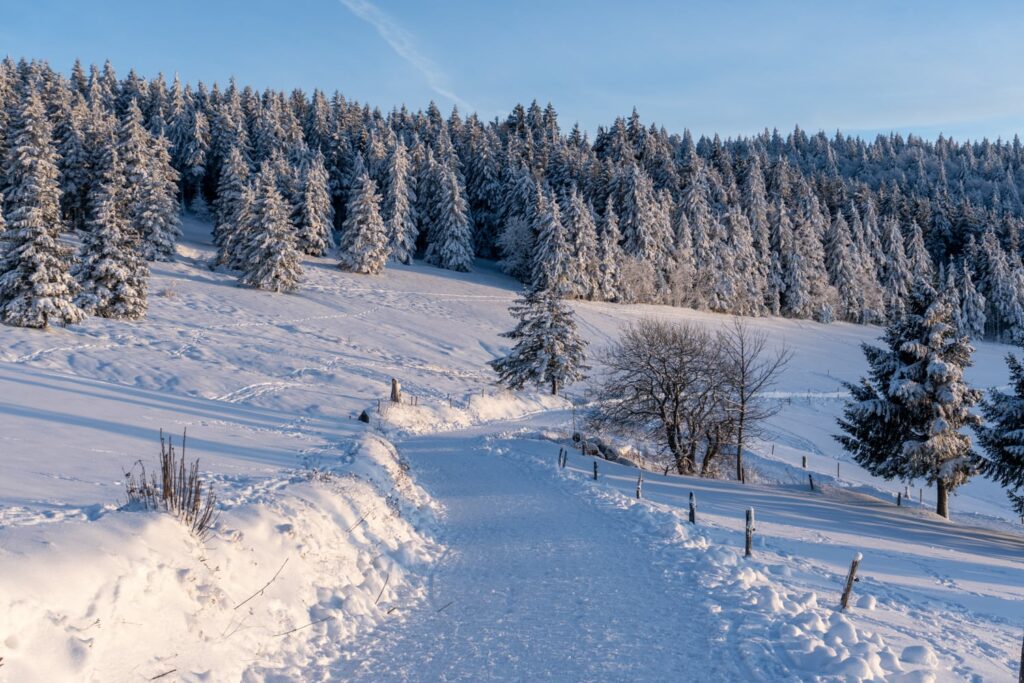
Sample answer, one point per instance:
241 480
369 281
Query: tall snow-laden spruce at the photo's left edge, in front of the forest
36 288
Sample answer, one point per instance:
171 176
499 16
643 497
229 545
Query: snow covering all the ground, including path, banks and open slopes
441 541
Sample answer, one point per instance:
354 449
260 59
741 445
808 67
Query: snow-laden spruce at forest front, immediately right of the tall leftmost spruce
112 272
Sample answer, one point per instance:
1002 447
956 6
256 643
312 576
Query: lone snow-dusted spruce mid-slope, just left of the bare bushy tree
548 350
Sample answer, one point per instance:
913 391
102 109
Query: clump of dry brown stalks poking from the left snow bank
179 491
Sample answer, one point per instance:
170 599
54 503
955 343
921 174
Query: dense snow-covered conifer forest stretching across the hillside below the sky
809 227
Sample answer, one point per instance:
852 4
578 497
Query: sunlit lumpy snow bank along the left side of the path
311 561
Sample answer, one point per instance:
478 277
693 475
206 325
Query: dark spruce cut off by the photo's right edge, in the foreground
1002 437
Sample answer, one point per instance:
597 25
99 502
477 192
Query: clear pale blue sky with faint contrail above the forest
734 68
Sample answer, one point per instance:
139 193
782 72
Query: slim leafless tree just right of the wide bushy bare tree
751 370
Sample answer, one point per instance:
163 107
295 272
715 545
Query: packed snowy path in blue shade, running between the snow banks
537 585
